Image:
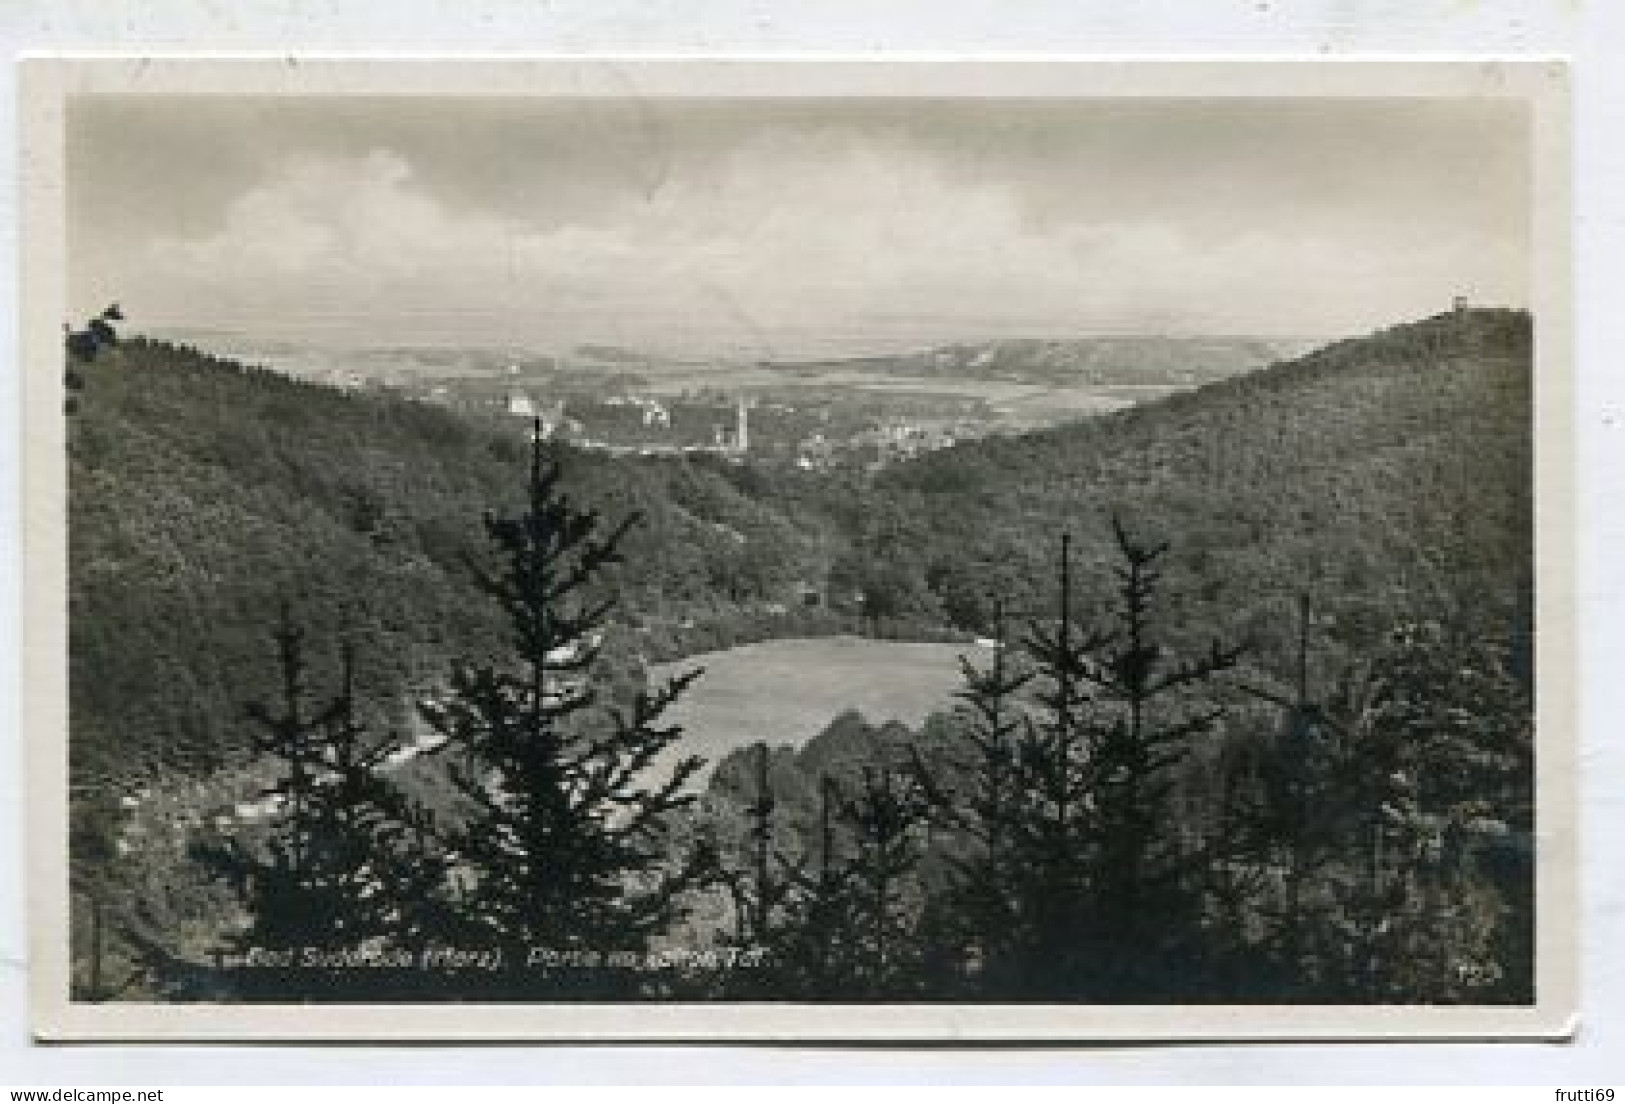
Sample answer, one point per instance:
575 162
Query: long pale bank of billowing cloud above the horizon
781 243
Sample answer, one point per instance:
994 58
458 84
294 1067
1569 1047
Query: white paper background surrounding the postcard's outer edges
1595 37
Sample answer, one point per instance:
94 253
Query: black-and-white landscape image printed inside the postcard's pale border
875 549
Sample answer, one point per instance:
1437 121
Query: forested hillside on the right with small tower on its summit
1385 477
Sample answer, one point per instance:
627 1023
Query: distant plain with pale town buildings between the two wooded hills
847 414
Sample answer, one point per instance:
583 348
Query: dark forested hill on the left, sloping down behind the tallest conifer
206 495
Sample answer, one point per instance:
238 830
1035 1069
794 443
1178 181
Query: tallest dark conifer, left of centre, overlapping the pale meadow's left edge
566 845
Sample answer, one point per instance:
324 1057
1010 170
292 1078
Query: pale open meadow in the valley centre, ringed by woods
787 692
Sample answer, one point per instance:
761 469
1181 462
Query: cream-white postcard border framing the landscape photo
50 82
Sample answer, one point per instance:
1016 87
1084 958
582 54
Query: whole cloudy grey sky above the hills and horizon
795 227
